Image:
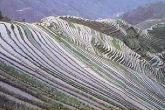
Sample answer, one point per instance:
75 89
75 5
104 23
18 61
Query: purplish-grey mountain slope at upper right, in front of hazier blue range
146 13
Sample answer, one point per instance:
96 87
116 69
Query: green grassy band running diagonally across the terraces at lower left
42 87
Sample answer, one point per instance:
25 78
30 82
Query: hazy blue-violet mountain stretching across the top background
34 10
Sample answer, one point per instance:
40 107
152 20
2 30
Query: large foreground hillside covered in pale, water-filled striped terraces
75 63
